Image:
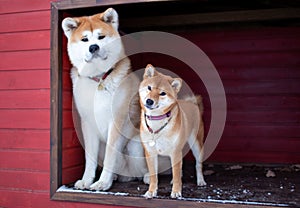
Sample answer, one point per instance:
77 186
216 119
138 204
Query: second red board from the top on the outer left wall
30 21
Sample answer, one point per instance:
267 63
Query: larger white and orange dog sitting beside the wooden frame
103 90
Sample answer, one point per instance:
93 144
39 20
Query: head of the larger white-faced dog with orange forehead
93 40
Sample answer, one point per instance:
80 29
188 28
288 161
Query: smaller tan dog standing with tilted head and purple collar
167 124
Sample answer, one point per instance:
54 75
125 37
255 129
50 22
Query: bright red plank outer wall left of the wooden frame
25 105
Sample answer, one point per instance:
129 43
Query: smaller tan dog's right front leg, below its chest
176 160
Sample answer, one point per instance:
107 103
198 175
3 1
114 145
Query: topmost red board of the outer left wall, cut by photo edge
14 6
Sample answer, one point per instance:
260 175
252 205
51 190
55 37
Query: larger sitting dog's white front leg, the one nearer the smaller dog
113 155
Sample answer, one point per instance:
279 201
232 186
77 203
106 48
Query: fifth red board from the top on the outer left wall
25 80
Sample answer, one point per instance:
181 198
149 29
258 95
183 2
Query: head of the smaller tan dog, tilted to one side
158 92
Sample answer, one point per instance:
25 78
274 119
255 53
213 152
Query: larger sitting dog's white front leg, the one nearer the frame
91 145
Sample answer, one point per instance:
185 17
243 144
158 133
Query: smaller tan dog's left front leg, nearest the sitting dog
152 166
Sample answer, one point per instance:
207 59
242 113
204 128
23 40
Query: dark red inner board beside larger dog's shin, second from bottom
72 157
